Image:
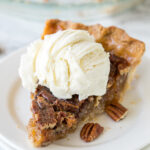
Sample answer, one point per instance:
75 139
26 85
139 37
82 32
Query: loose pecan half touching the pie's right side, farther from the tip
116 111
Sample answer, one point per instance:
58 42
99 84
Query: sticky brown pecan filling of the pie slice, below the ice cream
54 118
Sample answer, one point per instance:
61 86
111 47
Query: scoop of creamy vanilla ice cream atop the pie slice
68 62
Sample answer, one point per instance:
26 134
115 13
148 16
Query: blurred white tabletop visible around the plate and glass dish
17 32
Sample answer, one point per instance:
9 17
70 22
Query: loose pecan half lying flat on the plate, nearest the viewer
90 131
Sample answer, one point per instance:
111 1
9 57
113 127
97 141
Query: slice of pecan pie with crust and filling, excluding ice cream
54 118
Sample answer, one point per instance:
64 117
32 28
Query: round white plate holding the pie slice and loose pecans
129 134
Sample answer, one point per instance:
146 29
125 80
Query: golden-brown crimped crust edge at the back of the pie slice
113 39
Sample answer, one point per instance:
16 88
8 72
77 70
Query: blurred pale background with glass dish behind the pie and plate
22 21
